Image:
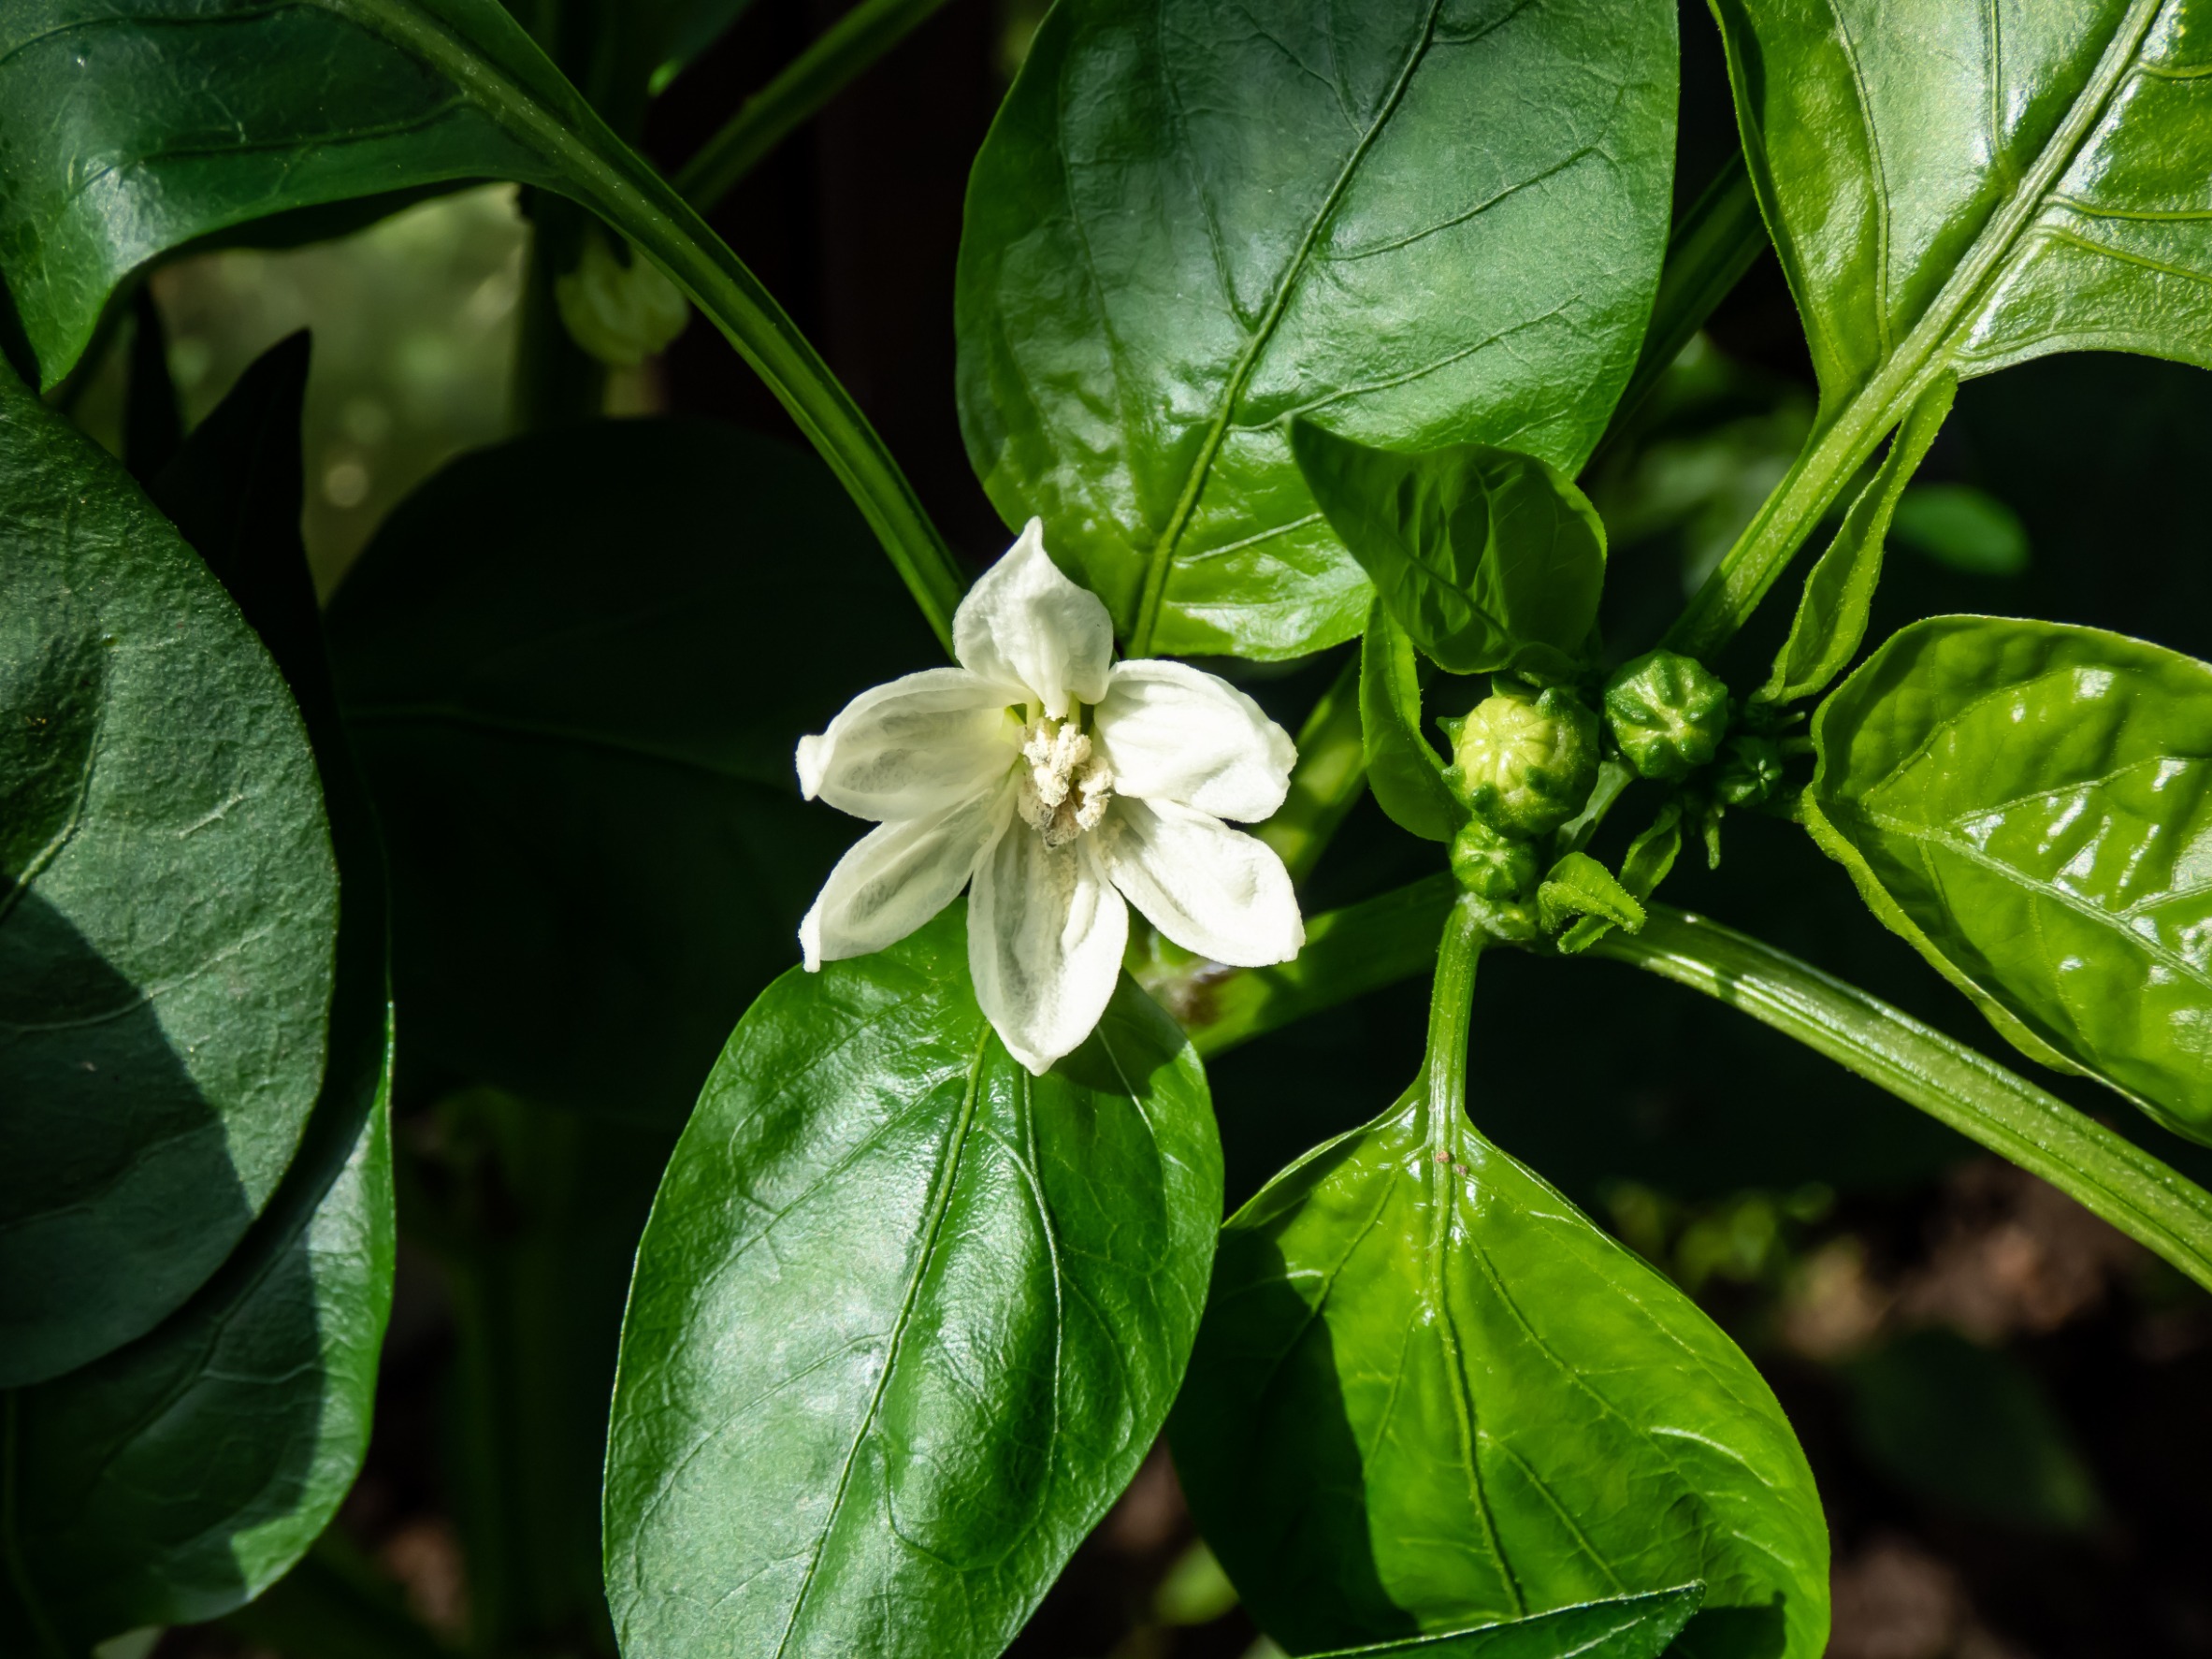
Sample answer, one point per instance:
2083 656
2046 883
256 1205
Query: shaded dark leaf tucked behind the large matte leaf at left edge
187 1472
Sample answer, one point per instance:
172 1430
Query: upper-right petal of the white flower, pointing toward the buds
1176 733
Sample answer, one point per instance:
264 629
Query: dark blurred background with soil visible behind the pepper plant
2010 1406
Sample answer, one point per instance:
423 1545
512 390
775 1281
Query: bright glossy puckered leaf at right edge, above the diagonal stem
2030 806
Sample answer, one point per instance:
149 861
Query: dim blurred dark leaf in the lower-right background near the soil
1974 1430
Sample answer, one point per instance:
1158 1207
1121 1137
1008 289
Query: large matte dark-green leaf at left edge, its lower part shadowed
158 1058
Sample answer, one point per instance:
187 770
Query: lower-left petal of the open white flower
901 875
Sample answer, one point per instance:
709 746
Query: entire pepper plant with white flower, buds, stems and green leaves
1284 328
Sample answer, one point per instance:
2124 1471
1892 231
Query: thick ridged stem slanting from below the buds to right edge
1954 1085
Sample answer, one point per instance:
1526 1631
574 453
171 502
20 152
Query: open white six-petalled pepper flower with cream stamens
1056 784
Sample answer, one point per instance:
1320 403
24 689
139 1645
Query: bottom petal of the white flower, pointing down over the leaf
1045 946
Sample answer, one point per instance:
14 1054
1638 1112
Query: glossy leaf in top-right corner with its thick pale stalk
1957 187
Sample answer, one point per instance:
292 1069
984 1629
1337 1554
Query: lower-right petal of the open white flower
1209 888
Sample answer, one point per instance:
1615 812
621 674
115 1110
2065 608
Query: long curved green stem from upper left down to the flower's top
614 182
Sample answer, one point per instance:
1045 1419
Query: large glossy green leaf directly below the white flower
906 1317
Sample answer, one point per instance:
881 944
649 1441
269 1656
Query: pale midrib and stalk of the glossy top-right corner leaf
1848 435
